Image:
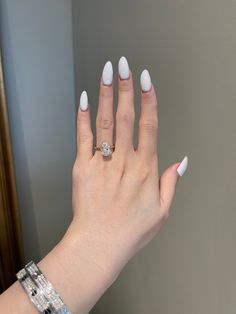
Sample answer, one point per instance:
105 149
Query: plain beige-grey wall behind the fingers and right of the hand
190 49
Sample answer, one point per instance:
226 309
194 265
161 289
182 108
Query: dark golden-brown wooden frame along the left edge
11 243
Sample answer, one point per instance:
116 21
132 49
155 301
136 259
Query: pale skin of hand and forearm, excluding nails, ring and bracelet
119 204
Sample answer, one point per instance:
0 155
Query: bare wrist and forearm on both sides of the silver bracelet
80 271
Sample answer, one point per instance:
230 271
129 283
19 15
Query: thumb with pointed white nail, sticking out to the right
168 181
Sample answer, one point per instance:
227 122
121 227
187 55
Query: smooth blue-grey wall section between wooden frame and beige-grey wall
36 38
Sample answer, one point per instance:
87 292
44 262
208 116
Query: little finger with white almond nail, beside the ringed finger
84 132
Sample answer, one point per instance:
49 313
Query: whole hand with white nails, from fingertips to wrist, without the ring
119 203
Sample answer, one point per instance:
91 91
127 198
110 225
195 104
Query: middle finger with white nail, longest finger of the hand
125 114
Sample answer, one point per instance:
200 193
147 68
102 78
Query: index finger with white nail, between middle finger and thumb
148 122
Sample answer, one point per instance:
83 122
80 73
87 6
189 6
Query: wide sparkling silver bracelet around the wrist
40 290
